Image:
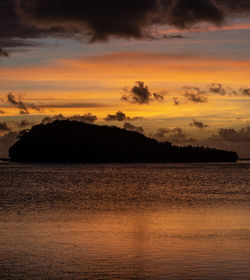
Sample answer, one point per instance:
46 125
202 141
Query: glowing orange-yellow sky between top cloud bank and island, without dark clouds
69 77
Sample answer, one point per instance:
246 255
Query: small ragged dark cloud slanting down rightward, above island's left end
18 102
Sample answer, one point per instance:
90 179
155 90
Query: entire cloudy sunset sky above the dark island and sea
175 70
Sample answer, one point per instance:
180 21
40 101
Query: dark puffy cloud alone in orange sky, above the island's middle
140 94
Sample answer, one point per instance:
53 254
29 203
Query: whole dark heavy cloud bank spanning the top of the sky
99 20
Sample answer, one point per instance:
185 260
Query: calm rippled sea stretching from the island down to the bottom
152 221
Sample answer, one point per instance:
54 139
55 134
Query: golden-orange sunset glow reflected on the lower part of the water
192 243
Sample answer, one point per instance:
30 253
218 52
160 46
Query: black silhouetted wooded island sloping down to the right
78 142
